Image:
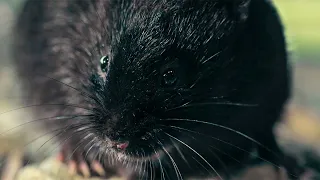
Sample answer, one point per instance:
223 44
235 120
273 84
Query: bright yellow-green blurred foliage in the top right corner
302 21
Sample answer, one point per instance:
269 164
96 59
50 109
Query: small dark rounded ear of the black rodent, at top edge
239 9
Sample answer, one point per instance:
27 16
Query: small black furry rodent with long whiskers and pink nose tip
162 88
